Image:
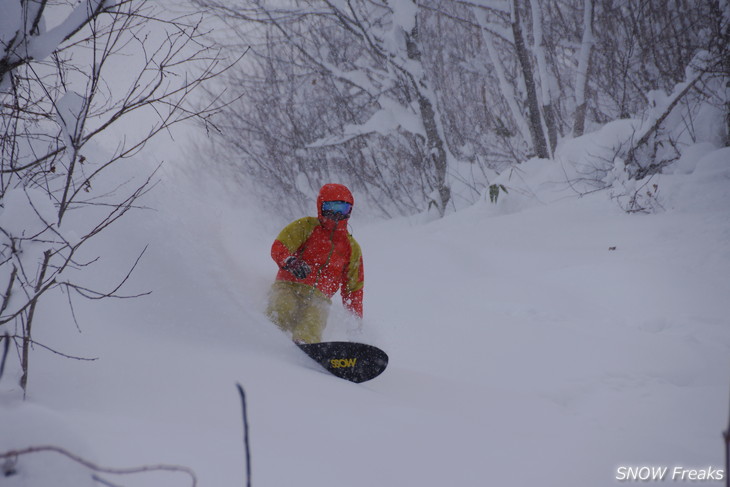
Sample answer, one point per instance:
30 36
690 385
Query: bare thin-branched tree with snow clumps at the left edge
58 94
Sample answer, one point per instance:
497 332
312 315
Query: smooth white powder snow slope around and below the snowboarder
523 350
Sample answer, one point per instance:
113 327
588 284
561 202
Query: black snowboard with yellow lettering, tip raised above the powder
356 362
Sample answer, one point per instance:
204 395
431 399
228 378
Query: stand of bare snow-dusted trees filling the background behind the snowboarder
379 94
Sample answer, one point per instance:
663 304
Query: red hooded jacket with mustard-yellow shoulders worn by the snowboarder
330 251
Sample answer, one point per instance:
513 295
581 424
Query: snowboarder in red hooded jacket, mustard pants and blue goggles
316 258
